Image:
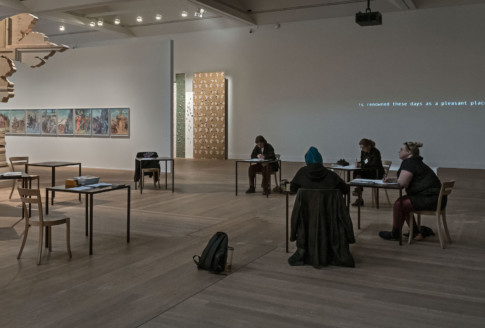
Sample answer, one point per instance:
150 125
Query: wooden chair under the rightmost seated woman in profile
446 188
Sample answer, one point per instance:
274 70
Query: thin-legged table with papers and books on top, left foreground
89 205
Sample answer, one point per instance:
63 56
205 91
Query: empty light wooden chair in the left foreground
32 196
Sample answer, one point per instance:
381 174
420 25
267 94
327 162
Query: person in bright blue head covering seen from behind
315 176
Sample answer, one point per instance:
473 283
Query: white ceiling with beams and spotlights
77 14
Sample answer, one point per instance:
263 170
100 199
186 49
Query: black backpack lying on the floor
214 256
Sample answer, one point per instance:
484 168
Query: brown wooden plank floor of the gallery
153 282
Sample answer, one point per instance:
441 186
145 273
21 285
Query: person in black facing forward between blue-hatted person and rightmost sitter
370 164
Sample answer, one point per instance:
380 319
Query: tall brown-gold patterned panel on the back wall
210 115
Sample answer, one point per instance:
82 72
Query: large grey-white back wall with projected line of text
300 85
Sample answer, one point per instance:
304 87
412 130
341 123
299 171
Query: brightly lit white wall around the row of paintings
135 74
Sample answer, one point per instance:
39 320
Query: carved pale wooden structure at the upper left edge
18 42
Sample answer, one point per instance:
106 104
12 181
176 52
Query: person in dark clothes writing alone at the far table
263 151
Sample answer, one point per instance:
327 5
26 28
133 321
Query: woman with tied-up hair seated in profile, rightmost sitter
422 190
